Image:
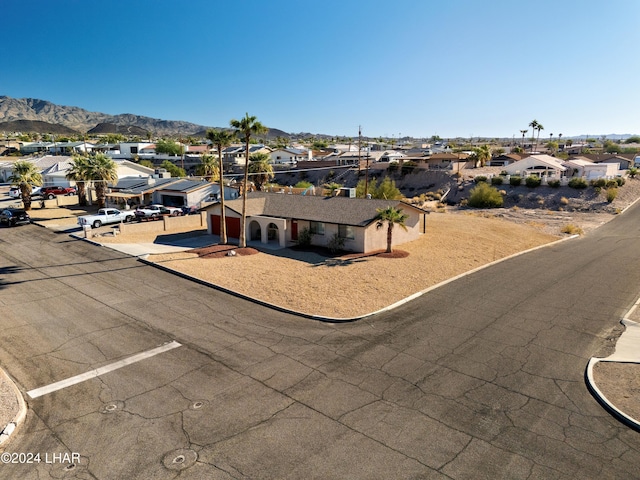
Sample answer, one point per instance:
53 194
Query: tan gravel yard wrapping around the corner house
353 285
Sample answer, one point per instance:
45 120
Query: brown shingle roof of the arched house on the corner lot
338 210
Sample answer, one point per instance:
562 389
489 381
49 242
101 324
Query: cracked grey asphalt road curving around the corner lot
481 378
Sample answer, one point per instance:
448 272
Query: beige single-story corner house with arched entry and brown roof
278 219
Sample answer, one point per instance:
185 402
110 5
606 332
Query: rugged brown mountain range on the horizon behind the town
41 116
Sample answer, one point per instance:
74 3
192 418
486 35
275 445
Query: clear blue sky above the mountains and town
404 67
